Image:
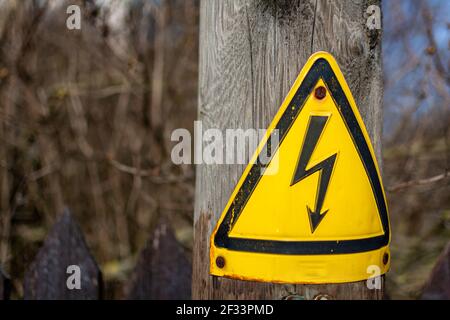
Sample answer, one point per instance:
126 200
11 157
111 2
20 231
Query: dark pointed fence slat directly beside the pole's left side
162 270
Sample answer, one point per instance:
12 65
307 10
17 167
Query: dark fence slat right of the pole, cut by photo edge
438 285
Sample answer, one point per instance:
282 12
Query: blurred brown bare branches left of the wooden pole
85 119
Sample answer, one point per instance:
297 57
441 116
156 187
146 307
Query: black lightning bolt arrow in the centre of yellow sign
314 131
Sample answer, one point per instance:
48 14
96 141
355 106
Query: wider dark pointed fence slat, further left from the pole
47 275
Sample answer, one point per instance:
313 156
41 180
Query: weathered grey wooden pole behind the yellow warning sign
251 51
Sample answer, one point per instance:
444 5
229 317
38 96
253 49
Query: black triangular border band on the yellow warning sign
321 69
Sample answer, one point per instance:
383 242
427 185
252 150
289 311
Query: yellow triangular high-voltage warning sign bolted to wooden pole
316 213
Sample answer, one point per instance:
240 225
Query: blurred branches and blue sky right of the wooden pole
416 145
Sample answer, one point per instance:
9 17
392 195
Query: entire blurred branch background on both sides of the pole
86 117
